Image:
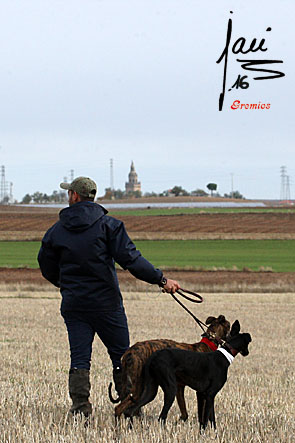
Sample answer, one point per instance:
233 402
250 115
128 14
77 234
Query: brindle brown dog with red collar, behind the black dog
135 358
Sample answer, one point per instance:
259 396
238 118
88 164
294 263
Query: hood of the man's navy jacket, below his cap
81 216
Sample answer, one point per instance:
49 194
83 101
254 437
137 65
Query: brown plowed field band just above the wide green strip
31 223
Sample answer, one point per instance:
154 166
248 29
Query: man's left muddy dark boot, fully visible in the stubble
79 389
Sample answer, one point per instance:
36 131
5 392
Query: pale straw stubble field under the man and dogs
255 405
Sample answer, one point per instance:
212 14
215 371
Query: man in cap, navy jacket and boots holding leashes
78 255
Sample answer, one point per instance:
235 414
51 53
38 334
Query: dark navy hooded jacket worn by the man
78 255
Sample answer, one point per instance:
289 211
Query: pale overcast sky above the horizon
85 81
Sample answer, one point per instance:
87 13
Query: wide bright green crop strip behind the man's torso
278 255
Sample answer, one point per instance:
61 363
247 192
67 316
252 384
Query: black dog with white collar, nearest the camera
206 373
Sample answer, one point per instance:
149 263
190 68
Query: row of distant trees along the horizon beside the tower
117 194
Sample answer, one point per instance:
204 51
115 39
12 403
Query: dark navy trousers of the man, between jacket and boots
111 327
